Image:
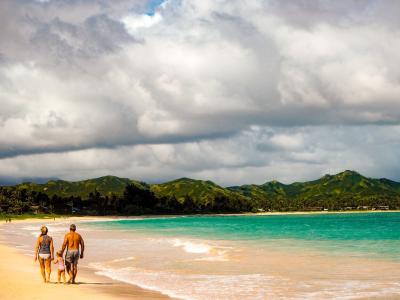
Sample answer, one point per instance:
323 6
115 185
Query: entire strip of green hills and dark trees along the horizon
114 195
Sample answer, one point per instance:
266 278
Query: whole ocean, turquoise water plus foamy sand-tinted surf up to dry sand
295 256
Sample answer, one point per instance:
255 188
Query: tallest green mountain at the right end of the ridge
345 189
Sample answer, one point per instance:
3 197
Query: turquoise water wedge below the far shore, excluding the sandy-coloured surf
374 235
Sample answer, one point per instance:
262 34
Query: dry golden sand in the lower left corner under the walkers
21 279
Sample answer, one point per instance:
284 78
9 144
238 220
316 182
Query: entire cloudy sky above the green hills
231 91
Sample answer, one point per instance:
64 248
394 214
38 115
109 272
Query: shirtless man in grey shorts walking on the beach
72 240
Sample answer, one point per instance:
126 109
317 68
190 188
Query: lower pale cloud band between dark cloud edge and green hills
318 150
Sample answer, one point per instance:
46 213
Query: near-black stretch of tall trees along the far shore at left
134 200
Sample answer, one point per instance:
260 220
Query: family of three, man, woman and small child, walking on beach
44 252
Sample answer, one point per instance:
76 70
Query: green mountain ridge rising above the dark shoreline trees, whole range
333 192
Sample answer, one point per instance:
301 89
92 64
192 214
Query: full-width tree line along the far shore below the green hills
137 200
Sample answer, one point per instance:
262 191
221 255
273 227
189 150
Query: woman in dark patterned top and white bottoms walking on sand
44 251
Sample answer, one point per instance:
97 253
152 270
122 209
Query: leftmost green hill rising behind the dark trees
106 185
